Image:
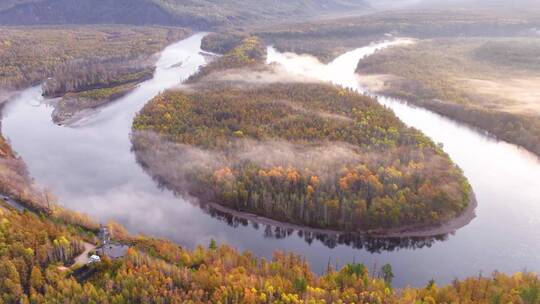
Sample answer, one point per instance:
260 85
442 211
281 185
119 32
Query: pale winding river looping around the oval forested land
91 168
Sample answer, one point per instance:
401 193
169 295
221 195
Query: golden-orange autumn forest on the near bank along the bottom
34 251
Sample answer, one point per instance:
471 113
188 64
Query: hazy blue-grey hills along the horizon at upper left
200 14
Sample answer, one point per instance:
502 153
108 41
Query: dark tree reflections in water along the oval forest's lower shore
331 240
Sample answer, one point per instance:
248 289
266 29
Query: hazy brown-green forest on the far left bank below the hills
86 66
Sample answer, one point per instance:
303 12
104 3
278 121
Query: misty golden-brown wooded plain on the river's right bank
448 76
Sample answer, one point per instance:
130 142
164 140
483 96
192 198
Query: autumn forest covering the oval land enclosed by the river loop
305 153
